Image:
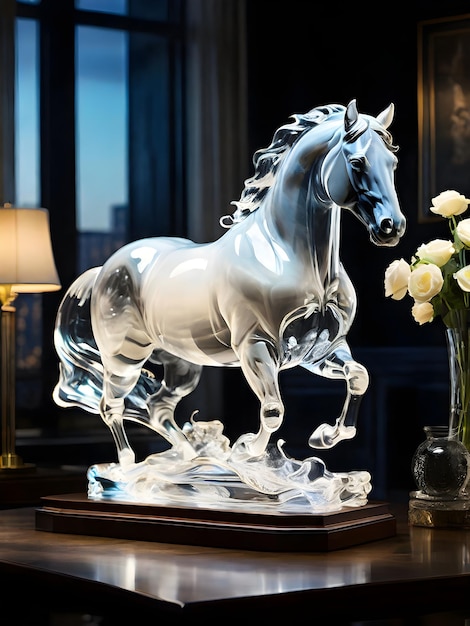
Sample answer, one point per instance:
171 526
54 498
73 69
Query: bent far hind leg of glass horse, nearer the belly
180 378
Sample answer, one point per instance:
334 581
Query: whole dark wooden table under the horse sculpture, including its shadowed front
418 572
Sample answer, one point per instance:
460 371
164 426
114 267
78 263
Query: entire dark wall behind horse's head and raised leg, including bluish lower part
303 54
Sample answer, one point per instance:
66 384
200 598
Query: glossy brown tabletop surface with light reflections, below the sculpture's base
190 575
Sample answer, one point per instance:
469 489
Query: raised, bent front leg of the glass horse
341 365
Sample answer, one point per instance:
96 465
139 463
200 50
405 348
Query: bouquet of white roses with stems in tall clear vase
438 280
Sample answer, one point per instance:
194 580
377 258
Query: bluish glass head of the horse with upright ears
369 161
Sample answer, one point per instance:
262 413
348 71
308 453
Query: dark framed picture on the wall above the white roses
443 109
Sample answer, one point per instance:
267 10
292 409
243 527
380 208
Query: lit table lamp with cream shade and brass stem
26 266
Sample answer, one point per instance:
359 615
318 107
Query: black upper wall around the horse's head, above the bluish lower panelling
302 54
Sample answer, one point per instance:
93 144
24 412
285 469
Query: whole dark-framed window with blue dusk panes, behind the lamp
97 142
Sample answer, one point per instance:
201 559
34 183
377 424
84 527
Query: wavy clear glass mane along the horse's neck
267 160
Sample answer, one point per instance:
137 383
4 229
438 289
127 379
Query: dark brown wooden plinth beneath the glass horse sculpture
76 514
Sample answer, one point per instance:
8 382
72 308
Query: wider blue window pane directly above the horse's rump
102 143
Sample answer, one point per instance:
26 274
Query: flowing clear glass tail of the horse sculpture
80 368
